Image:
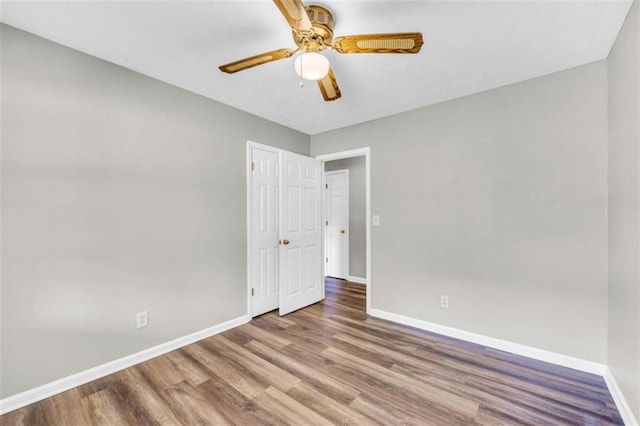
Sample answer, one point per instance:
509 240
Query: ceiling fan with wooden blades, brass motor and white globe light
313 32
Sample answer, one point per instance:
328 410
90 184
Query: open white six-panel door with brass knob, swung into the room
300 232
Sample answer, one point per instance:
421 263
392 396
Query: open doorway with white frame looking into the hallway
347 218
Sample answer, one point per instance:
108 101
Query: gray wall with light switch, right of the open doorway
499 201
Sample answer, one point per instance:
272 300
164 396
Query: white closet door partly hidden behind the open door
264 224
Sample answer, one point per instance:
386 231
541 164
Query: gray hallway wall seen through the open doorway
357 212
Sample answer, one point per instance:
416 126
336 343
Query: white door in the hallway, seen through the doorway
337 224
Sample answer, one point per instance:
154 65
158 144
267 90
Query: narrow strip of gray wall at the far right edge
624 209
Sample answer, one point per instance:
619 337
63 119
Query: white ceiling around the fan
470 46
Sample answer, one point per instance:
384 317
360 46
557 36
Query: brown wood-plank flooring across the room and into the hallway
331 364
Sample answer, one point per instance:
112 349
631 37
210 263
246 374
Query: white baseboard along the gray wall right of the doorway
492 342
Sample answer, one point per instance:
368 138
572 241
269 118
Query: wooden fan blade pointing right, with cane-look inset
379 43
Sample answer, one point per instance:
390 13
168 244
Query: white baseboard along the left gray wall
47 390
